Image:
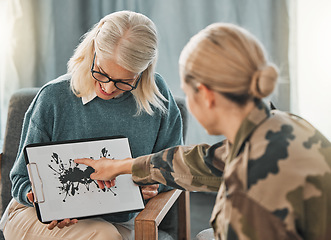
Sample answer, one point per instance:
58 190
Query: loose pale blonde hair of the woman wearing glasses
129 39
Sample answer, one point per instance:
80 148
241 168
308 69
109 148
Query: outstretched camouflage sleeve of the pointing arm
192 168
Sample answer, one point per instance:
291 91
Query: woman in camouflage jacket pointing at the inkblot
272 173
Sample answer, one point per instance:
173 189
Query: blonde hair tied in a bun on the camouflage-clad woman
230 60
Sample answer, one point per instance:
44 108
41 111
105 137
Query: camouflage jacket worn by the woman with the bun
273 182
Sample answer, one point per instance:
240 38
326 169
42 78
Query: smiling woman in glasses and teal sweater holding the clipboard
111 89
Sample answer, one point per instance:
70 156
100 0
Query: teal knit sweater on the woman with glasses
56 114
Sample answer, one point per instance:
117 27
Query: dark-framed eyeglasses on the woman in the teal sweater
121 84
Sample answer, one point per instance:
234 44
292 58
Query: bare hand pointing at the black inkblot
107 169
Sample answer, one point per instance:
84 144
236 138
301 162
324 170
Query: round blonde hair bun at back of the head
264 81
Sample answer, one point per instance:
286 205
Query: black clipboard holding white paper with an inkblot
63 189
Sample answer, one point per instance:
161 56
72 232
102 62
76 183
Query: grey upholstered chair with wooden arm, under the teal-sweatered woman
147 221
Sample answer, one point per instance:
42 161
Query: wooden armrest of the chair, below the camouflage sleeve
148 220
